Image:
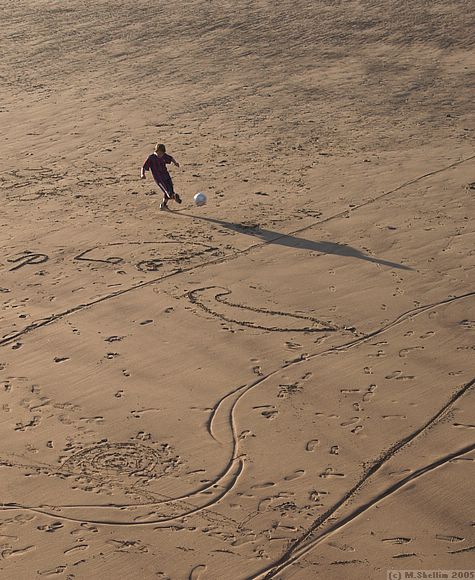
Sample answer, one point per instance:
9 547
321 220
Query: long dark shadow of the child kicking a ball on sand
294 242
